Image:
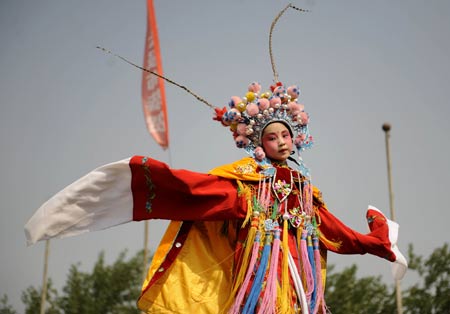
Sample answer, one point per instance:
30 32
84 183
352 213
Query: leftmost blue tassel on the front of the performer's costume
255 291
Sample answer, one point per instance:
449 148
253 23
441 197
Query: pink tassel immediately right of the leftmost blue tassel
268 303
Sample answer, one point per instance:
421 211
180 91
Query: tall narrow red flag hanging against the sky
153 93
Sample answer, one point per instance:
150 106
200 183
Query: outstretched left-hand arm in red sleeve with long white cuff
131 189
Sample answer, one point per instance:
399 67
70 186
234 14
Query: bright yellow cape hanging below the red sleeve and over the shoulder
198 280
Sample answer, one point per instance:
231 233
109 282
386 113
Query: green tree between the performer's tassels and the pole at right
347 294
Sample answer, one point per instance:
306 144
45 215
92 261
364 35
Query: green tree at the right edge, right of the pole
432 293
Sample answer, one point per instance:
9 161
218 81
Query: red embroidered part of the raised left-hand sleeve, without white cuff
163 193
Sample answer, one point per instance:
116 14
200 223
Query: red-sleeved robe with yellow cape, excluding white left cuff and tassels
195 264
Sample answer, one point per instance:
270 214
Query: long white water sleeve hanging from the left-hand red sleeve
99 200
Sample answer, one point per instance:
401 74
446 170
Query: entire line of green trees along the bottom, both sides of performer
115 289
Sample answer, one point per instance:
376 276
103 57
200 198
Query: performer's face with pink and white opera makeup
277 141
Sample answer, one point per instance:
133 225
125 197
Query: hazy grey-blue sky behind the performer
67 108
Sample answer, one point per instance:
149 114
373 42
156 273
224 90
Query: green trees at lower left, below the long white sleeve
107 289
